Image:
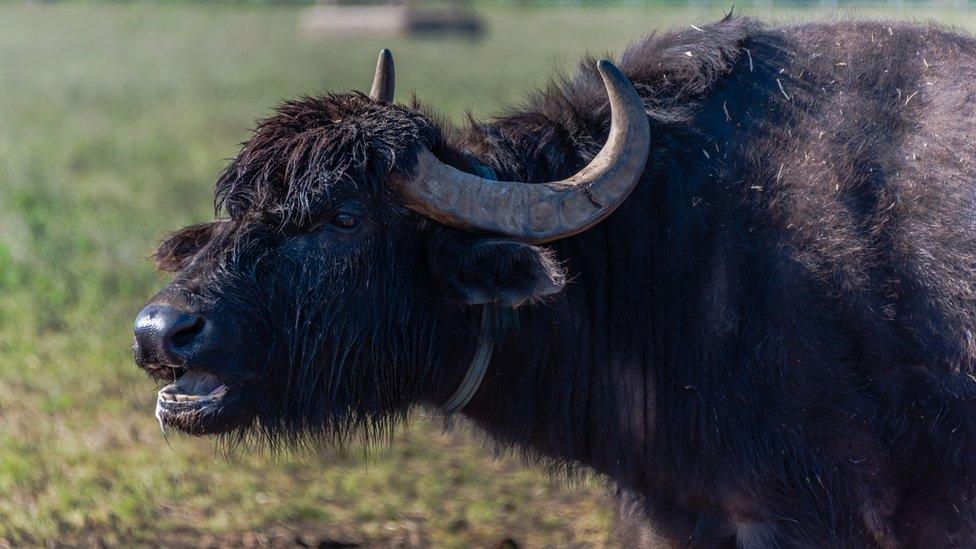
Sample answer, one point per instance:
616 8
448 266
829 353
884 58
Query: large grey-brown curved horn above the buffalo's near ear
542 212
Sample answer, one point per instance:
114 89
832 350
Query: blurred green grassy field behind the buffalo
114 121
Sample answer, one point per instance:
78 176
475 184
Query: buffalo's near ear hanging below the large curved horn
489 270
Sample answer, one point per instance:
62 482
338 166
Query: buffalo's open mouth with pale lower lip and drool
196 403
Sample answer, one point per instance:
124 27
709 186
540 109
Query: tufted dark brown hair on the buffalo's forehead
315 146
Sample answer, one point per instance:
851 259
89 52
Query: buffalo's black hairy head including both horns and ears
345 277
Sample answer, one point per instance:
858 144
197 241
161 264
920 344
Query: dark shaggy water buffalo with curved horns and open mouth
737 277
